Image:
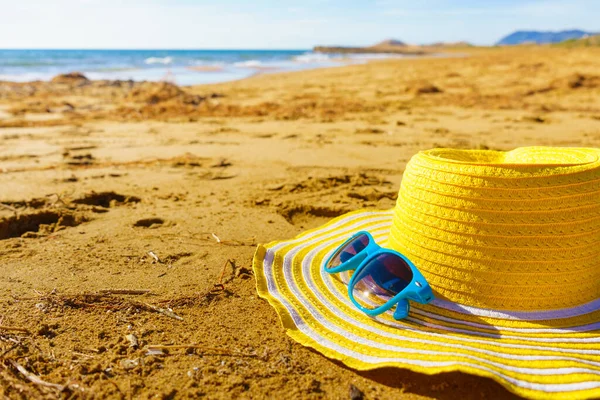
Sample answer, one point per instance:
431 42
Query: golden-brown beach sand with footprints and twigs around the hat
117 185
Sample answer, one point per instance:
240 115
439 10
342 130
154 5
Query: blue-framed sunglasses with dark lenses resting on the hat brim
379 275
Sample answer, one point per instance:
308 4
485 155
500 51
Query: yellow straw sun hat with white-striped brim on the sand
510 244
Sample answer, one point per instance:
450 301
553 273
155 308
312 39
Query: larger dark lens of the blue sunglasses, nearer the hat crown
381 279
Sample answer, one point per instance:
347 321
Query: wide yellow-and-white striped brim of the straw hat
541 355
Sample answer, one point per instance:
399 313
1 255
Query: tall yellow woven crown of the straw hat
517 230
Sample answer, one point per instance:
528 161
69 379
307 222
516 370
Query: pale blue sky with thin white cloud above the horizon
278 24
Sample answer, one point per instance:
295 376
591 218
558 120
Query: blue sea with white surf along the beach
183 67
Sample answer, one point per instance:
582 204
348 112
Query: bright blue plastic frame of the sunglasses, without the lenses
417 290
